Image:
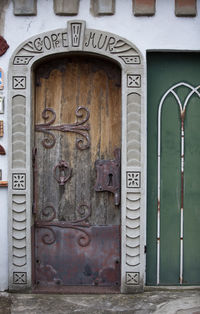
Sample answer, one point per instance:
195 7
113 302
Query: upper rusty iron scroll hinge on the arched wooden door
81 127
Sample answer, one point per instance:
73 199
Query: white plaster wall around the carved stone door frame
163 31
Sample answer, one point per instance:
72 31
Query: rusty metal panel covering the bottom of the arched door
68 255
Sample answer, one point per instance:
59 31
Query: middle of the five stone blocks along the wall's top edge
103 7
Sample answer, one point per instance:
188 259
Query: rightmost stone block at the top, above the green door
185 8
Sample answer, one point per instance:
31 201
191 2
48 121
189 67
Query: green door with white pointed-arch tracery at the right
173 233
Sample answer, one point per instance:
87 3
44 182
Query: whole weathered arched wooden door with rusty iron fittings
76 159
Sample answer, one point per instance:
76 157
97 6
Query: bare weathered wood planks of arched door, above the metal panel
63 85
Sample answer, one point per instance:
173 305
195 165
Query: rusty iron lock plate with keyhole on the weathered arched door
108 176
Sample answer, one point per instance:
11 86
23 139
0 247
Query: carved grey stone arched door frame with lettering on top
76 38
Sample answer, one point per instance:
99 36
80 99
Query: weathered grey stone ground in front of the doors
159 302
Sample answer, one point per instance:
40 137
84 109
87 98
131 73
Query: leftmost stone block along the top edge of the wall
25 7
